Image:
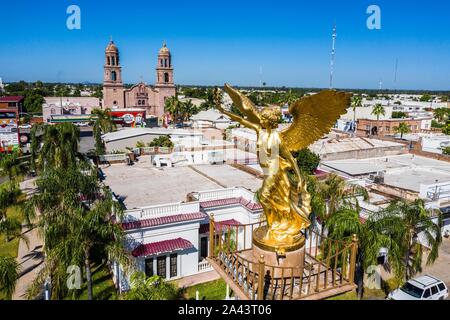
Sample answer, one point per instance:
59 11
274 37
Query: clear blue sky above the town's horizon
213 42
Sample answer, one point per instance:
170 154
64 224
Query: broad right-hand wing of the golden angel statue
313 117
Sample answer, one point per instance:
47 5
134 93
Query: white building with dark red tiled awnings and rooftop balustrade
172 240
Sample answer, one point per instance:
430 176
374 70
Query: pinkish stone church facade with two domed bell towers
140 96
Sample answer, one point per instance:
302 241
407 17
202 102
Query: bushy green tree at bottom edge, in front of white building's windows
151 288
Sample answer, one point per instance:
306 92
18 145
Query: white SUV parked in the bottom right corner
422 288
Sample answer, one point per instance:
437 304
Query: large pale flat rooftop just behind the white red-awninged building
142 184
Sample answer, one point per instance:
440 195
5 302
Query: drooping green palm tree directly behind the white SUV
404 221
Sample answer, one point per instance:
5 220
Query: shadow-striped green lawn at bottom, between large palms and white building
103 286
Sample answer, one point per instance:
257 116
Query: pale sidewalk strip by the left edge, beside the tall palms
30 257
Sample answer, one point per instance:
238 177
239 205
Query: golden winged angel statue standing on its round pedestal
284 196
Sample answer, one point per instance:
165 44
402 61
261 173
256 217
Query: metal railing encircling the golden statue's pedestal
327 264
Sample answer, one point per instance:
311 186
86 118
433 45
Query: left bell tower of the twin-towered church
113 89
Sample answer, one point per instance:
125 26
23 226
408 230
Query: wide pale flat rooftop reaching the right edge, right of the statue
404 171
